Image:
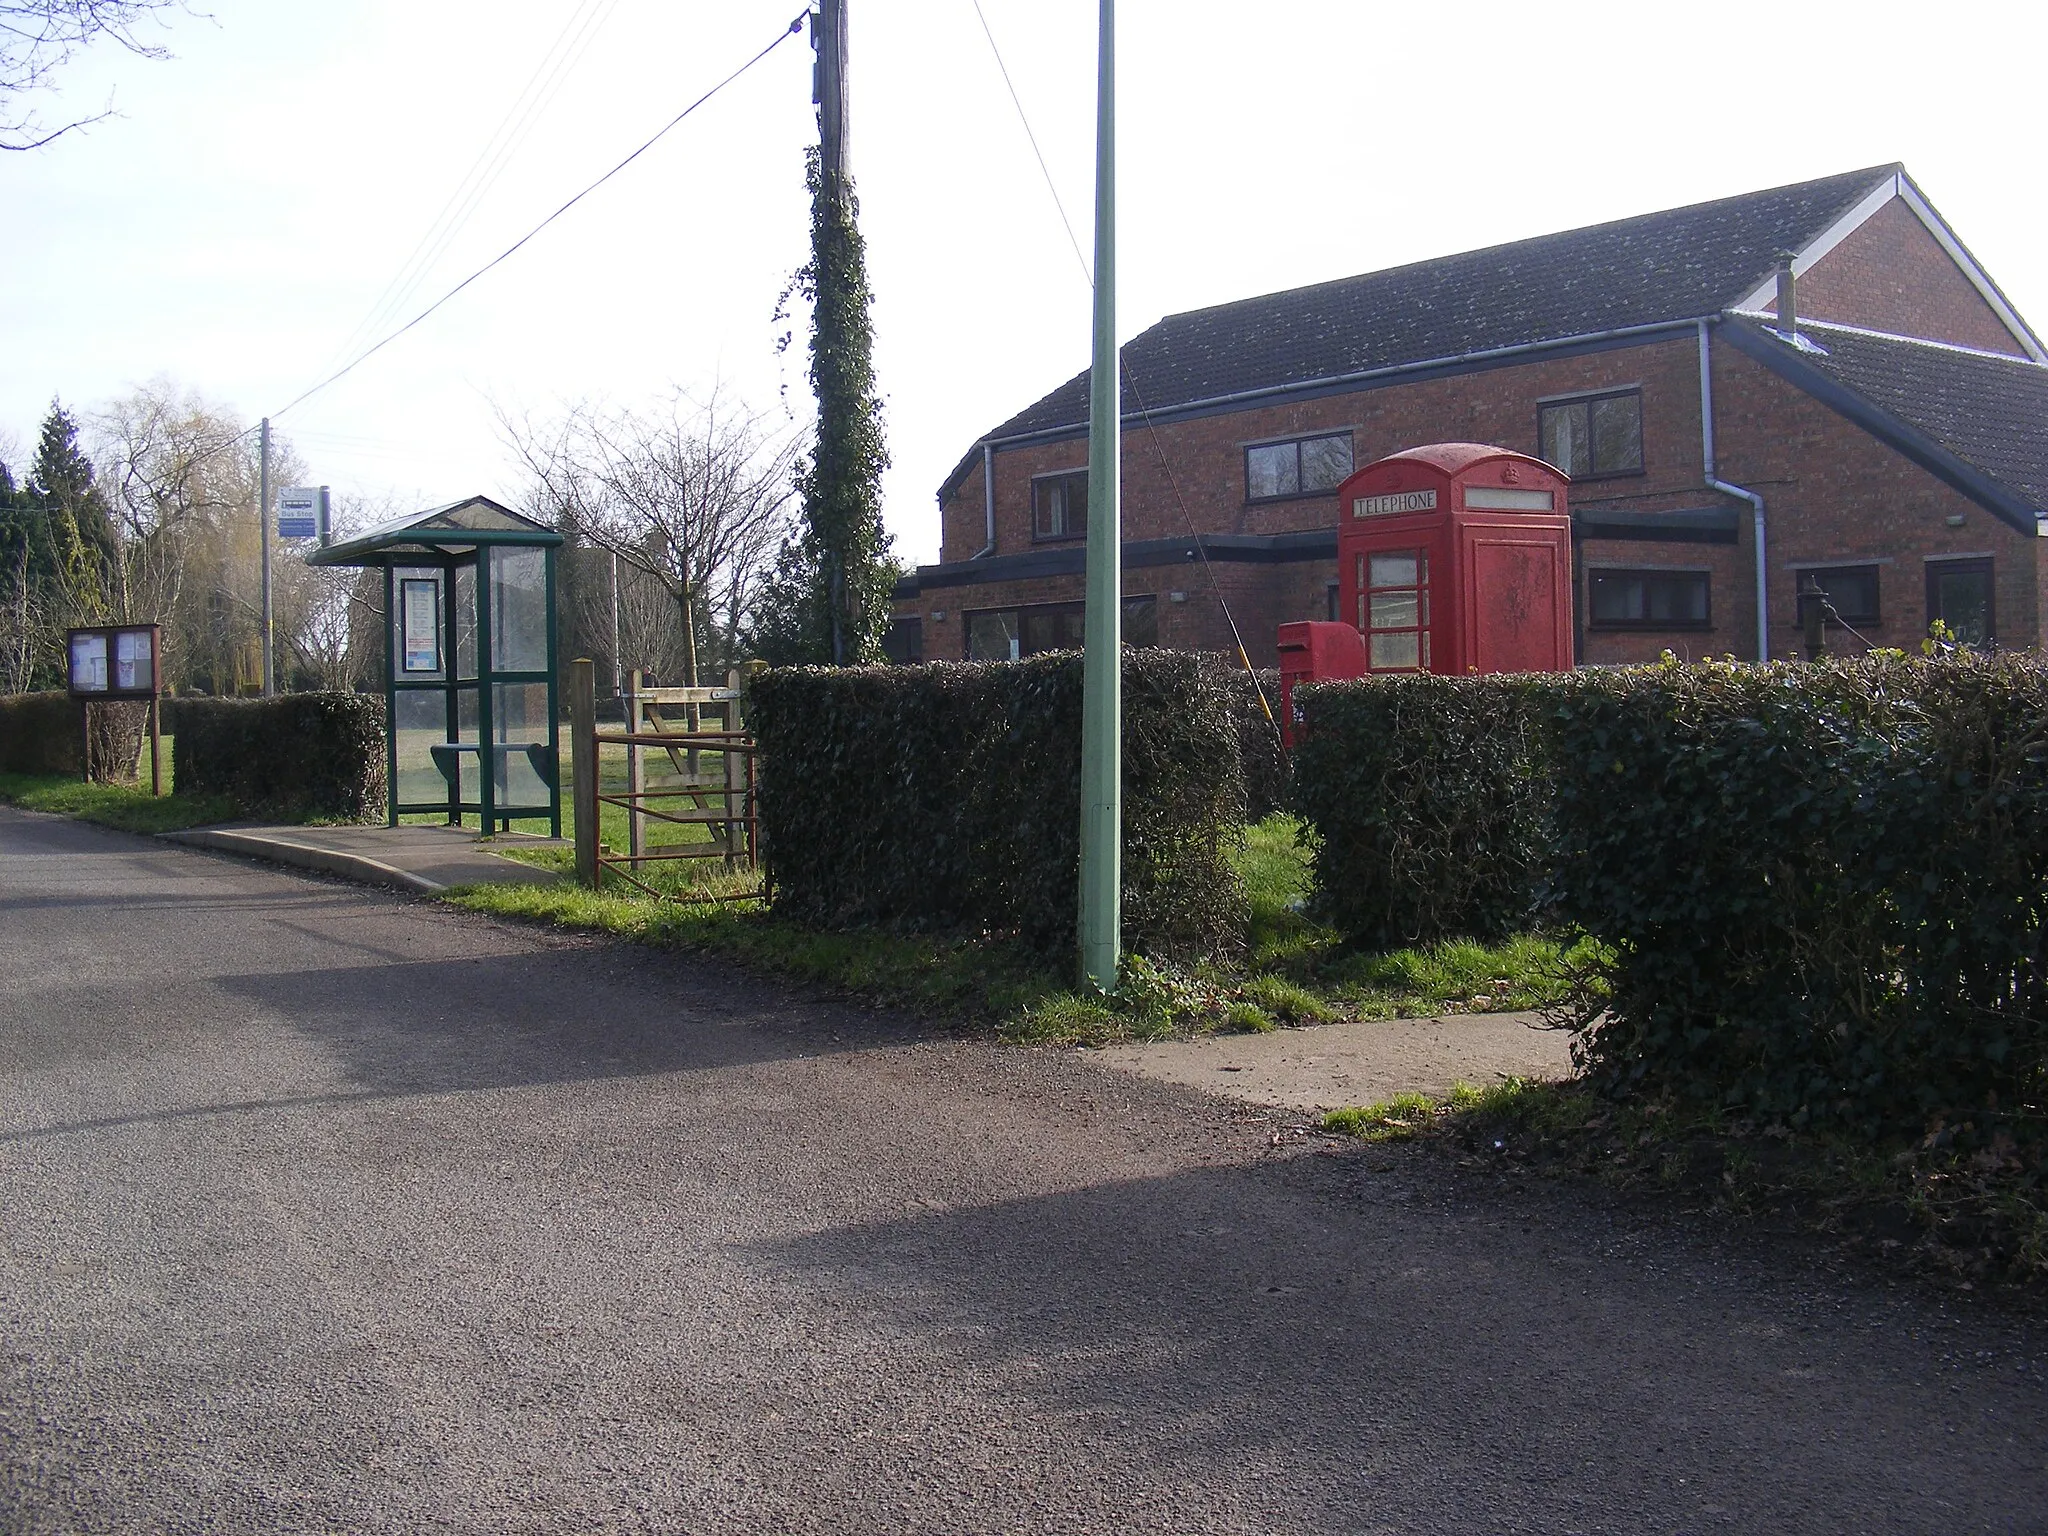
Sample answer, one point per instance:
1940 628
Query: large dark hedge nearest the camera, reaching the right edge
1826 888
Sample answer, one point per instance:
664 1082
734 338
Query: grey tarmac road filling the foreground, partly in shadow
335 1211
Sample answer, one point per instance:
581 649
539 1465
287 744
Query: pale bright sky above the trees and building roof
241 220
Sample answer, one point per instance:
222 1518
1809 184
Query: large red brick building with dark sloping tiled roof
1891 445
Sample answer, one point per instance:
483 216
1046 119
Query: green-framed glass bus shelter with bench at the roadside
470 663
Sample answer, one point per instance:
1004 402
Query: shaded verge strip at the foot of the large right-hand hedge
1918 1203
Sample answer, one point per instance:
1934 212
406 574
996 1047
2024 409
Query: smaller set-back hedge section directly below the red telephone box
1428 802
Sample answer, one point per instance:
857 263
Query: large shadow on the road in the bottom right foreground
1426 1328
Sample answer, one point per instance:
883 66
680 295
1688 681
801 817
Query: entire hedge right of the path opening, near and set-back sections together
1824 888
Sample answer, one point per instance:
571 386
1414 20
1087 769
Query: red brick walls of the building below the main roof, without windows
1834 495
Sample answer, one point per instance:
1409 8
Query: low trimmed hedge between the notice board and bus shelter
292 757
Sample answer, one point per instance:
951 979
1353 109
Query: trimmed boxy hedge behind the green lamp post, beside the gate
947 798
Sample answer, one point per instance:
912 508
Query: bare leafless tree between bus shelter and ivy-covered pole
693 495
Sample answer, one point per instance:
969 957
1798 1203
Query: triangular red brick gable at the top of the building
1893 275
